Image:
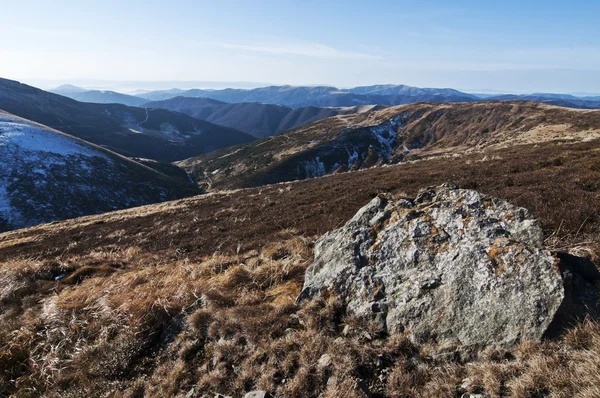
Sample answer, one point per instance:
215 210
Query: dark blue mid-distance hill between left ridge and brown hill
258 119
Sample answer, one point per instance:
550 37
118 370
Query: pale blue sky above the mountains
518 46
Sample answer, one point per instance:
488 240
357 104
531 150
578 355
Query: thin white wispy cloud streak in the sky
315 50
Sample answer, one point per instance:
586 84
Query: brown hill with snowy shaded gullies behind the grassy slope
388 136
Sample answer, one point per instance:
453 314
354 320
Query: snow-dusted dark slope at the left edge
46 175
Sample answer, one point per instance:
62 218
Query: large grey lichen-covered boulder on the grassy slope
452 265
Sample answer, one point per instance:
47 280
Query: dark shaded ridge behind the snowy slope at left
148 133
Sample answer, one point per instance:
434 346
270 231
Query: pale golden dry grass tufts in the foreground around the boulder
156 327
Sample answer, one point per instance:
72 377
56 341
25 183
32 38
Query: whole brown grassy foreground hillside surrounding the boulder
199 294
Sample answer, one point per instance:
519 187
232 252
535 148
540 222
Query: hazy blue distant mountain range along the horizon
324 96
